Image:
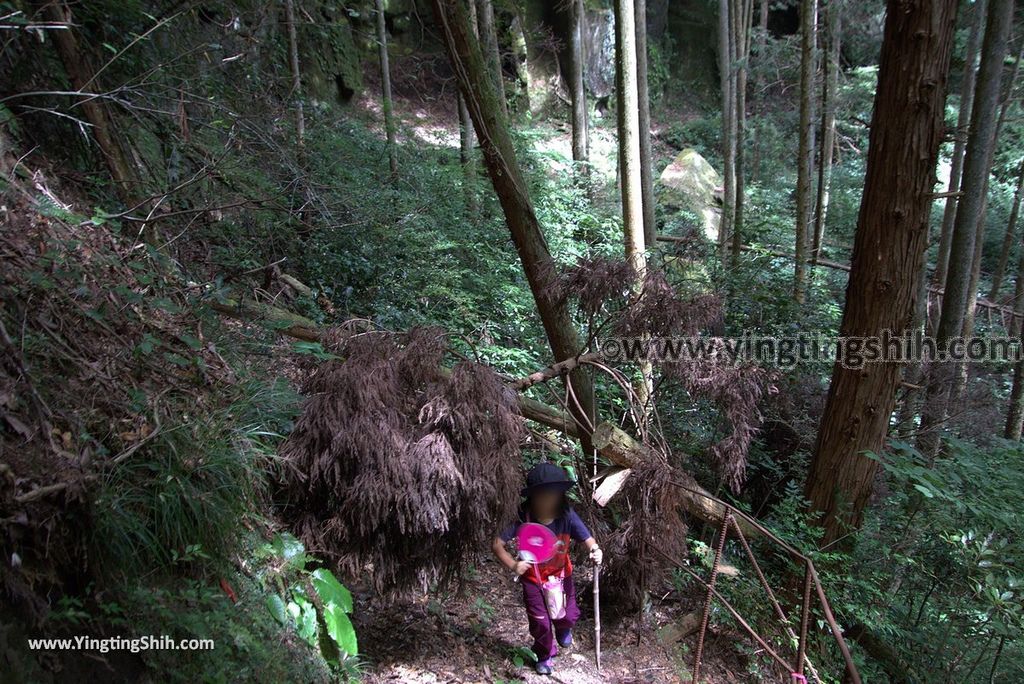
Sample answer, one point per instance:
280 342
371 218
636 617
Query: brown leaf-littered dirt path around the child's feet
480 635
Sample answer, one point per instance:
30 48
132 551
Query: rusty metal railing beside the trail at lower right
812 581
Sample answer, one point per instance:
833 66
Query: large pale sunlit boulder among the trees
694 185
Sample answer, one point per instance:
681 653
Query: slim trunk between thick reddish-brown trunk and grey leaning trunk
957 162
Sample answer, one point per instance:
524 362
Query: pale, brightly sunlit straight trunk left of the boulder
630 159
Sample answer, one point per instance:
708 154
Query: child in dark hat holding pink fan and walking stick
547 504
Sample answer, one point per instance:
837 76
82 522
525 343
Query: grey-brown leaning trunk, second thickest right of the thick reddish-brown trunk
977 160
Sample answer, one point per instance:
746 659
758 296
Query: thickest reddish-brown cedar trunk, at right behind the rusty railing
888 253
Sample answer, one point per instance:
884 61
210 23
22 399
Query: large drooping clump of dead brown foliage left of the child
398 471
